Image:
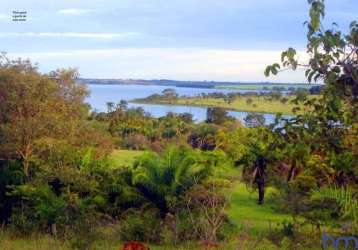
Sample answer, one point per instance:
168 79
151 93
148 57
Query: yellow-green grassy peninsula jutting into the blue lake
259 104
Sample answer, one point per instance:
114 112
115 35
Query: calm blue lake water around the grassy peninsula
101 94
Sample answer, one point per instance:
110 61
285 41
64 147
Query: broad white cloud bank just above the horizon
169 63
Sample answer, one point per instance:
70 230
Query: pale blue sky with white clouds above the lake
221 40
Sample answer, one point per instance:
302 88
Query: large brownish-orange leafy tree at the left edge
34 106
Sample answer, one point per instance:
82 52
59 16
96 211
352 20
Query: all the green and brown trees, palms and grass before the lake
76 179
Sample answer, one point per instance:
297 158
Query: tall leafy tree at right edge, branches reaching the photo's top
319 148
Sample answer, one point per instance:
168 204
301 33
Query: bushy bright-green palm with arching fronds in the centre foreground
162 178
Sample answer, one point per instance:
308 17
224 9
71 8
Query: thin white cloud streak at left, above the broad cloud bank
70 35
